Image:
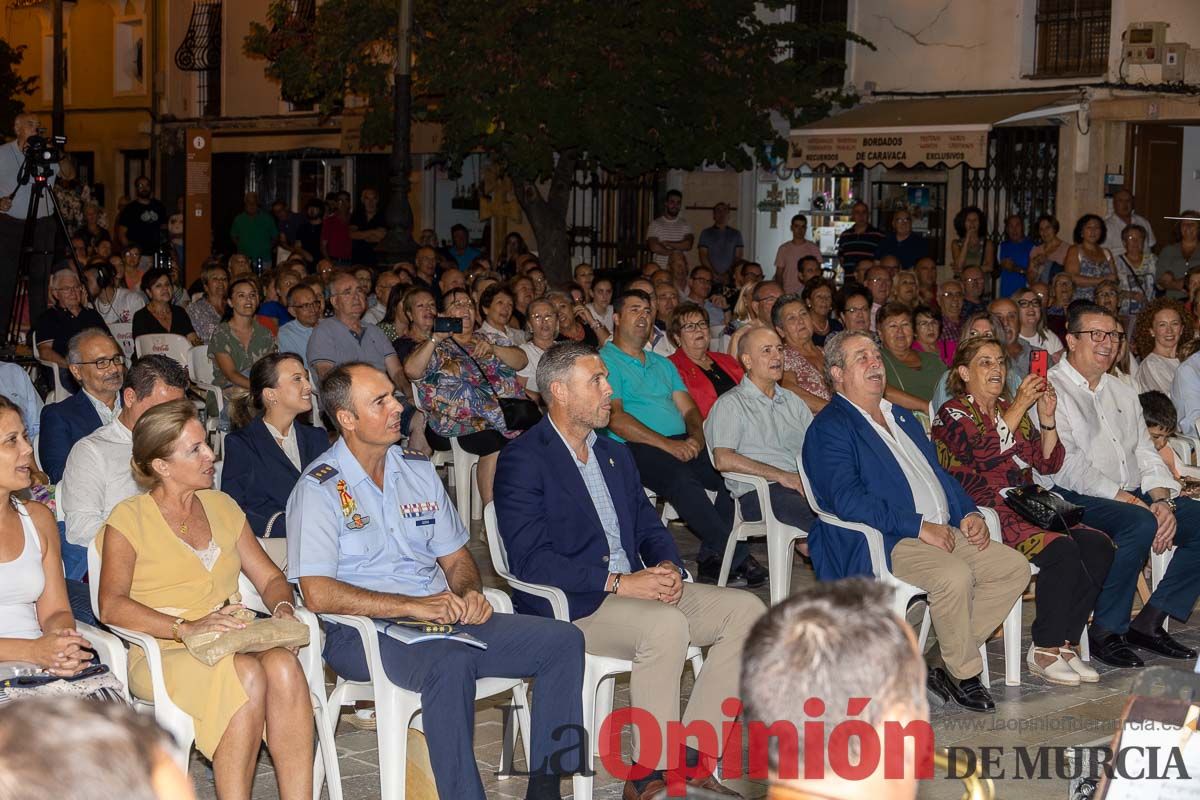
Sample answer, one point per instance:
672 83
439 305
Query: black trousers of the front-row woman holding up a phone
1072 573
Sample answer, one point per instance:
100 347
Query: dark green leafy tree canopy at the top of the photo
629 86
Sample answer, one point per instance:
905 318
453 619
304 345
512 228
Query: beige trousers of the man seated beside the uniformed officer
656 637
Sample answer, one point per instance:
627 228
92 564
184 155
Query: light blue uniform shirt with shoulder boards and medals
343 526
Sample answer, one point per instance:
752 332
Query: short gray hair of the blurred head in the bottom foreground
812 646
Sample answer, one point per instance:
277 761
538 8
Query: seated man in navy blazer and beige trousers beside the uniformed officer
573 515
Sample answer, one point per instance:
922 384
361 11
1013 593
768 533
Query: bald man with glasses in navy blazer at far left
99 366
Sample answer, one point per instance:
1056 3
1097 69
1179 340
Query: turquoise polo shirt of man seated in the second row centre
645 388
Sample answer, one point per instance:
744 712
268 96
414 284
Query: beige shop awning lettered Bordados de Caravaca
922 130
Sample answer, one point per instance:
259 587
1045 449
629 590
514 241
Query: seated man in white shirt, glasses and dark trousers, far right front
1114 472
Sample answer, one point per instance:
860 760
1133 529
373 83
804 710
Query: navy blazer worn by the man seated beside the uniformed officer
551 528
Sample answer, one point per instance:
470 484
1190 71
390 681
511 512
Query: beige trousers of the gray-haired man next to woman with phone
970 593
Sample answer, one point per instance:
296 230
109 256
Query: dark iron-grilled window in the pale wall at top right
1073 38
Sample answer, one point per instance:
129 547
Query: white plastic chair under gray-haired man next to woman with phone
905 593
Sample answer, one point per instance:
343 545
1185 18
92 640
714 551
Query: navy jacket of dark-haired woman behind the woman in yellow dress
259 476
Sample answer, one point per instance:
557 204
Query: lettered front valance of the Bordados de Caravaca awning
929 148
